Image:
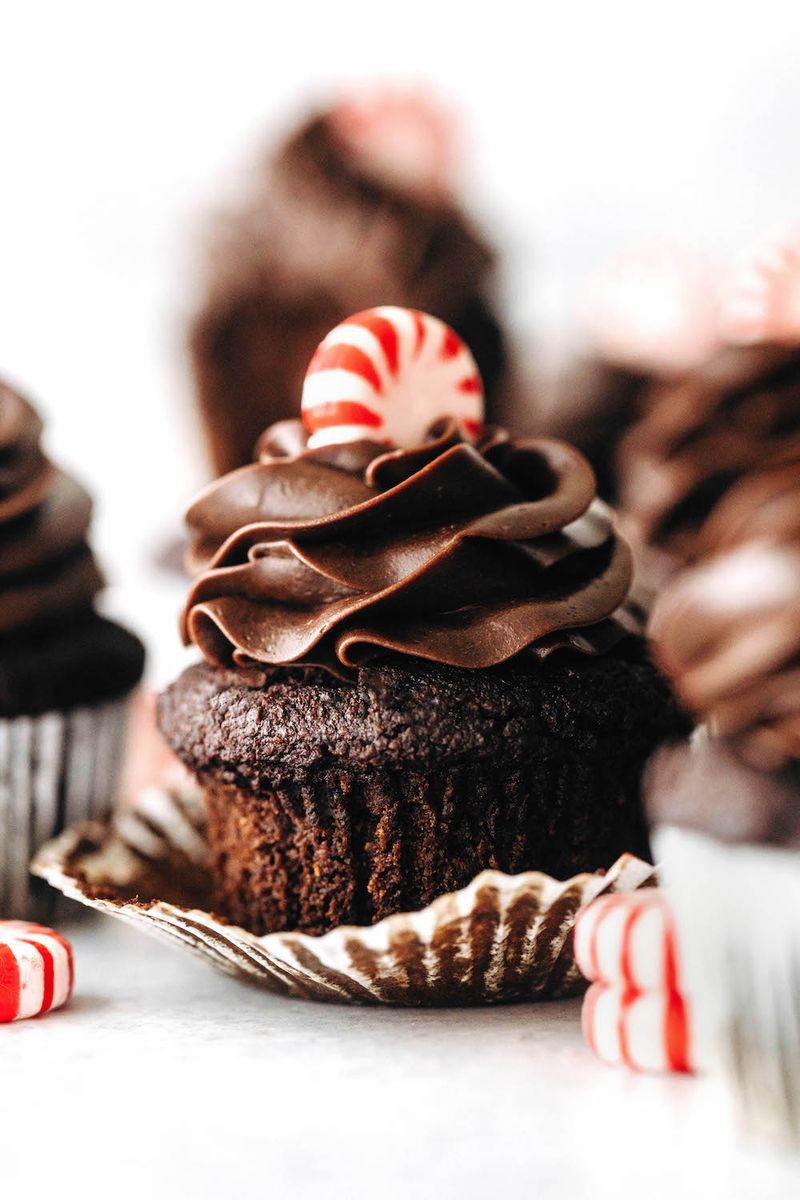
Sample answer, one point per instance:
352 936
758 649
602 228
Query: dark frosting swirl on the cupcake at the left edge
46 566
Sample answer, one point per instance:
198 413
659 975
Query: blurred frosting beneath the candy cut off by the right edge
700 436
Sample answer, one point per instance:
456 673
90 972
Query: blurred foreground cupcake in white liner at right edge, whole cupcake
727 805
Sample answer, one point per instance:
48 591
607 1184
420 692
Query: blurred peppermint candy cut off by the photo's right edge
762 303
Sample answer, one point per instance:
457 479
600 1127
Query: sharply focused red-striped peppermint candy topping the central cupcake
387 375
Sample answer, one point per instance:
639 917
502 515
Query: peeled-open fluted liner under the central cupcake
501 939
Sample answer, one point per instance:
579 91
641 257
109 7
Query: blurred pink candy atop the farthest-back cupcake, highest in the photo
400 136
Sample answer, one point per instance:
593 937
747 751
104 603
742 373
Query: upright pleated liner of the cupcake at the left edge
56 770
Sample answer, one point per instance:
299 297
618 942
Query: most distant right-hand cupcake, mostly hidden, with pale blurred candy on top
648 317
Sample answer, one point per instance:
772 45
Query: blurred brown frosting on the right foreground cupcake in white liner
729 631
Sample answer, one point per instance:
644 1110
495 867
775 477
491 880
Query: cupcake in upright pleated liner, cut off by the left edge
65 671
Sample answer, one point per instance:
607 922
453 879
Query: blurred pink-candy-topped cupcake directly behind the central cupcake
357 208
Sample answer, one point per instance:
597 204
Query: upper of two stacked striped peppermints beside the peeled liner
629 939
